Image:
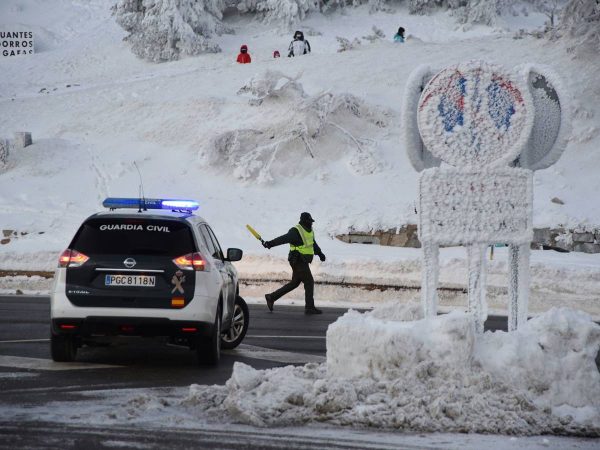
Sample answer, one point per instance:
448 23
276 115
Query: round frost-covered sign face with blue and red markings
471 113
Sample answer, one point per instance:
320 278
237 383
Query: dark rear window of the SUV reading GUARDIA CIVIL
134 237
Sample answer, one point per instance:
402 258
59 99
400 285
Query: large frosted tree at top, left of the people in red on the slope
165 30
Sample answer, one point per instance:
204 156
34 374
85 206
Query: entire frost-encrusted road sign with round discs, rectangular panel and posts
493 128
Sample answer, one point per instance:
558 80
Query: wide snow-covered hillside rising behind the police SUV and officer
329 142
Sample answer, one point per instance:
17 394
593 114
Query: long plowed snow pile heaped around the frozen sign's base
391 369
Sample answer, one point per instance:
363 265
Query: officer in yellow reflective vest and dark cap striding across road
302 249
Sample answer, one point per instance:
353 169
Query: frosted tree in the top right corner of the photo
580 22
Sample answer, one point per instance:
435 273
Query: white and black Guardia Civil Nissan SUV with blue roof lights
147 267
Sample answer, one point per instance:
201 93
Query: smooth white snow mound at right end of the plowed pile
552 358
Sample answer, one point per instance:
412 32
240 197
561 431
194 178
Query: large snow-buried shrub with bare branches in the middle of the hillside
314 130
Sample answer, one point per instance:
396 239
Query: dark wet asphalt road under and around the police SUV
273 339
